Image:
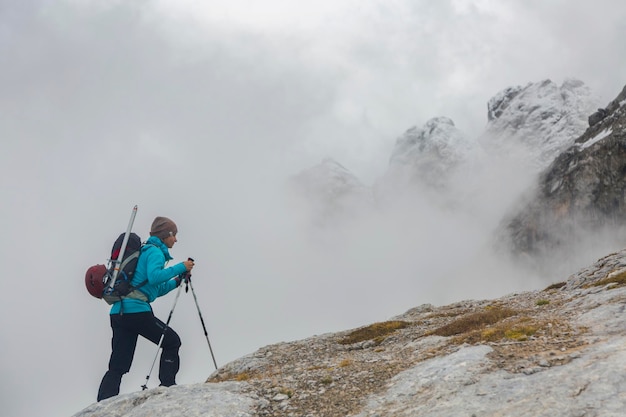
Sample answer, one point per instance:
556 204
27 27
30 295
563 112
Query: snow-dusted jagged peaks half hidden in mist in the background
439 163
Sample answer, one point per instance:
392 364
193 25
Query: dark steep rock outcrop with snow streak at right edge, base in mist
579 204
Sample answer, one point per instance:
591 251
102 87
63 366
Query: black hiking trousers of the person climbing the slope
126 329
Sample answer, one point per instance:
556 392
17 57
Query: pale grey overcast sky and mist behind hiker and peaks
199 111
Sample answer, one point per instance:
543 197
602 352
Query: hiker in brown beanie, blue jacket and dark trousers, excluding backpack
132 317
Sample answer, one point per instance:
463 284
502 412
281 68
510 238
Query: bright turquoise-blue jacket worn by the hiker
150 266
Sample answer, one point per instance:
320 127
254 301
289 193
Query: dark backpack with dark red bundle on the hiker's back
98 277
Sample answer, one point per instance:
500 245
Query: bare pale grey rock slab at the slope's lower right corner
591 384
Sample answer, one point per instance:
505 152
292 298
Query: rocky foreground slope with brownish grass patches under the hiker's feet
554 352
